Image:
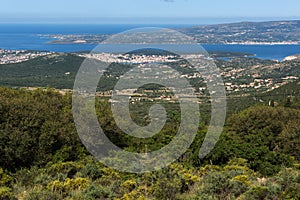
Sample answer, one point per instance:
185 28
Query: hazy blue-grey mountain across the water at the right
274 32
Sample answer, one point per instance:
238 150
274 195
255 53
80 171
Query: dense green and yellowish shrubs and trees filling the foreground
42 157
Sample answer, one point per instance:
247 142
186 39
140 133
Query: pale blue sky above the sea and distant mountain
185 11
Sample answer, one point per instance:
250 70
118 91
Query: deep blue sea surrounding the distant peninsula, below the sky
24 36
